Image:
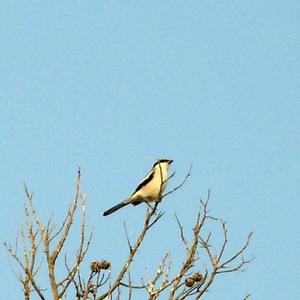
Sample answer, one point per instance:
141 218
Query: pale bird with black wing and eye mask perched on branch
150 188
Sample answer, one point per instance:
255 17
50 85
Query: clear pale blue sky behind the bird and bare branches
112 86
